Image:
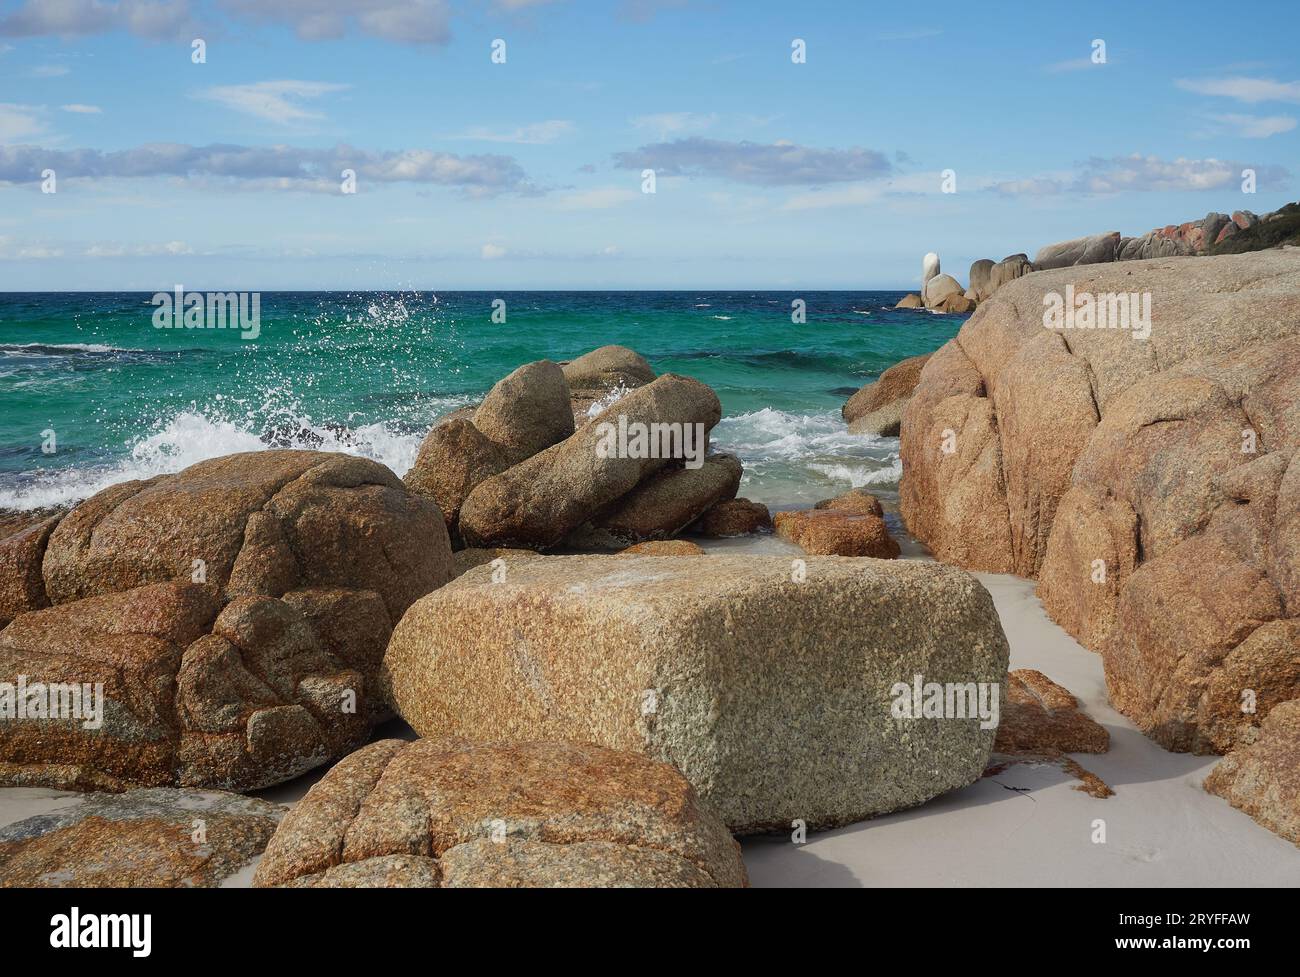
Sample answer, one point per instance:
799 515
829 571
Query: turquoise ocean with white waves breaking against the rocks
93 394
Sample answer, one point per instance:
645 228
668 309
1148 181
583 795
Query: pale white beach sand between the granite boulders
1026 827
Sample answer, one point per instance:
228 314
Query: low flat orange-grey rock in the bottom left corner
144 839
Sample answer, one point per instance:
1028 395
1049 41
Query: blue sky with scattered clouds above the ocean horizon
501 145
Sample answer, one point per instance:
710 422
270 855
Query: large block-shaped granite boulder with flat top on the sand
769 684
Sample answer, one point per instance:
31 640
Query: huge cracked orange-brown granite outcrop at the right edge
1151 484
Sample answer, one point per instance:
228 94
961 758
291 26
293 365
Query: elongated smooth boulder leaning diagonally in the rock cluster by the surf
539 502
